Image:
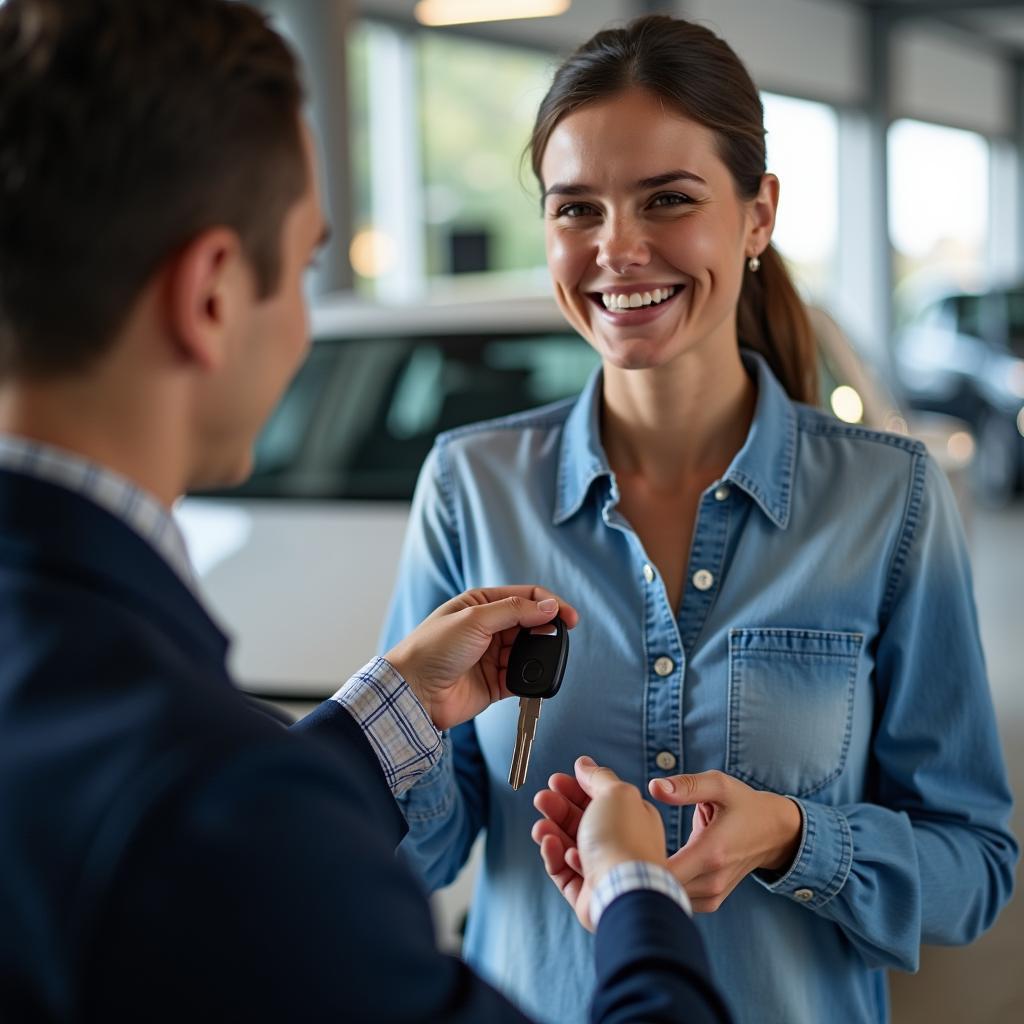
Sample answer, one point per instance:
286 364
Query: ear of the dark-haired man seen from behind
205 283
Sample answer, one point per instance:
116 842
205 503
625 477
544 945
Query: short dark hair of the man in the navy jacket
129 127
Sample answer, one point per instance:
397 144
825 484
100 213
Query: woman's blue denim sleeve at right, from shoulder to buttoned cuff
931 858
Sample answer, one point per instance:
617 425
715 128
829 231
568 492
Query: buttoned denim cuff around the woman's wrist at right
824 859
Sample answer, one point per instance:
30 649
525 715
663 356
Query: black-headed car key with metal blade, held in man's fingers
537 664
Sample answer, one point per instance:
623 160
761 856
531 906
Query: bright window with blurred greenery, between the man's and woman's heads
472 203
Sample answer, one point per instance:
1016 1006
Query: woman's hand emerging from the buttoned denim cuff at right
737 830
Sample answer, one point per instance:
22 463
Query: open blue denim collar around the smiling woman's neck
763 467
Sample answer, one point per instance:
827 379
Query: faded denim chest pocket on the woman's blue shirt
791 707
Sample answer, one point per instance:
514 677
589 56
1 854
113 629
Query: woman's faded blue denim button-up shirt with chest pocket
827 648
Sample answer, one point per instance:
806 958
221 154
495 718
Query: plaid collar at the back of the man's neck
135 507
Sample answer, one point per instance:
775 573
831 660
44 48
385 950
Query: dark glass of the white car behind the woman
362 414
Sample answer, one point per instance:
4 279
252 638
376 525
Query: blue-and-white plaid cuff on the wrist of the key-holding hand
393 719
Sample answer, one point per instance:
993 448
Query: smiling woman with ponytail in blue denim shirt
765 592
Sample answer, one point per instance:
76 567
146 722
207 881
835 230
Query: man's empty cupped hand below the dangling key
590 825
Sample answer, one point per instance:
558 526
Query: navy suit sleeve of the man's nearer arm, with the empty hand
269 893
